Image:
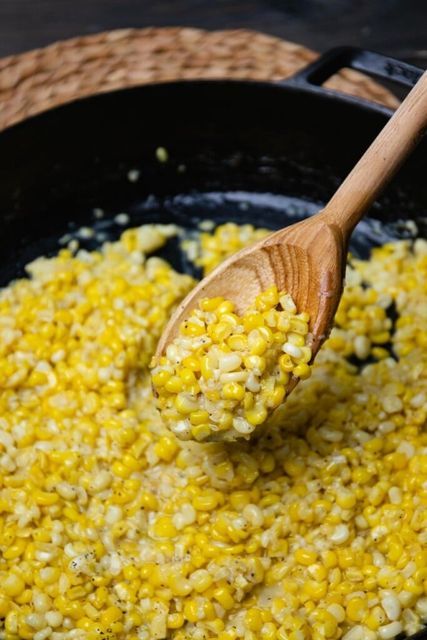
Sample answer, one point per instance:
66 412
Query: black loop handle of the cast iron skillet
374 64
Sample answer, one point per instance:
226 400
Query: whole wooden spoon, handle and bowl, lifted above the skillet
308 259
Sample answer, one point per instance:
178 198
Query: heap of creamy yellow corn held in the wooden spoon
224 374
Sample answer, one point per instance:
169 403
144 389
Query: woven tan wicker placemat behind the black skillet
41 79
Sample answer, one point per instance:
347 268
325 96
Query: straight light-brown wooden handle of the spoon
381 160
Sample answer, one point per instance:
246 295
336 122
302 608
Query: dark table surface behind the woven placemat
396 27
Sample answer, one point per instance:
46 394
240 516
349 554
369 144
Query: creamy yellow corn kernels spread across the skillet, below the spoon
113 529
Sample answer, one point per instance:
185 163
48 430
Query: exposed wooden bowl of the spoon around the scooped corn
293 260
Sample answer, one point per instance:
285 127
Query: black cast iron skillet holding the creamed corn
265 153
